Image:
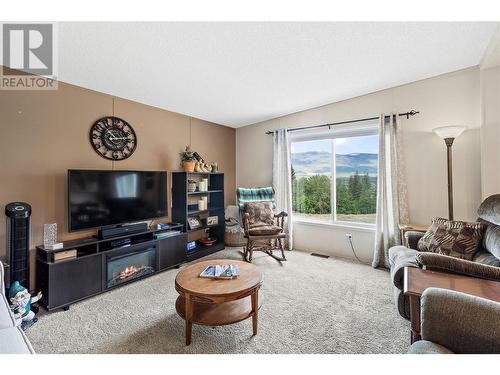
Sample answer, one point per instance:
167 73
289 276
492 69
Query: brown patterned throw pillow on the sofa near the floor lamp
458 239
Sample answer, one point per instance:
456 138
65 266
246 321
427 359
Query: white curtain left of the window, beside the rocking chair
282 181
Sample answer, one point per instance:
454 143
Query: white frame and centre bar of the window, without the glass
345 131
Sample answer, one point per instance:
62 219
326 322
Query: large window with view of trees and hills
334 175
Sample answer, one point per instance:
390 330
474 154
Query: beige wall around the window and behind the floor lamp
450 99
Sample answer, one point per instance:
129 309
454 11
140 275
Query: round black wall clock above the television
113 138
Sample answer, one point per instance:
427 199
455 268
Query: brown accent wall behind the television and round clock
44 133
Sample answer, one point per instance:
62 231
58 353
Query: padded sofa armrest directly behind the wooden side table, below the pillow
439 262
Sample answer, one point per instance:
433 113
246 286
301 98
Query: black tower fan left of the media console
18 241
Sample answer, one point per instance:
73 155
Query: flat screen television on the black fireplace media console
99 199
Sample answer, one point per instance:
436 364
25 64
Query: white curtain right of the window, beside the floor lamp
392 208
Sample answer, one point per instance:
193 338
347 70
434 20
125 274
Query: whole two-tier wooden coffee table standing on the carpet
214 302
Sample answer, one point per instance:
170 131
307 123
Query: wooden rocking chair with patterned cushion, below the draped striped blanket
263 230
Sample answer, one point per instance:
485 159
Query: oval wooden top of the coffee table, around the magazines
188 280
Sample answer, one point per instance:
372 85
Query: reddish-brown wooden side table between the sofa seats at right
417 280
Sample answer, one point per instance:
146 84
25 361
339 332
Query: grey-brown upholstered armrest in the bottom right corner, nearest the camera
460 322
